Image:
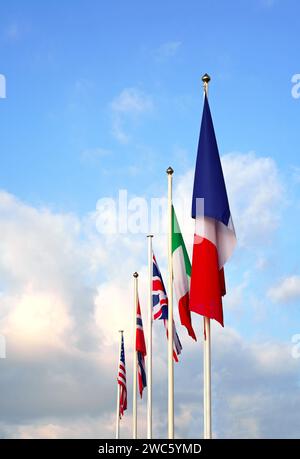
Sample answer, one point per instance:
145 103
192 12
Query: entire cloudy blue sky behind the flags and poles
88 115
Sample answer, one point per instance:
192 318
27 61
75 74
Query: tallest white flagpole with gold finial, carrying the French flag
207 344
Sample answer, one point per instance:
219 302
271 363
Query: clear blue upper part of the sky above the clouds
64 65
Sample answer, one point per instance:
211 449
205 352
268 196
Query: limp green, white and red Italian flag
181 275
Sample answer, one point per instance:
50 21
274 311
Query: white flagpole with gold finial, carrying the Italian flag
170 313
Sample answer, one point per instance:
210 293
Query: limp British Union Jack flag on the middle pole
160 306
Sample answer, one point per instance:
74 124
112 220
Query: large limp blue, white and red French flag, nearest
215 238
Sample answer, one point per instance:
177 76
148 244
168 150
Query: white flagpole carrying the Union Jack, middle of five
149 350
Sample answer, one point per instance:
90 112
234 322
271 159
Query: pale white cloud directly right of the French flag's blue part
256 196
